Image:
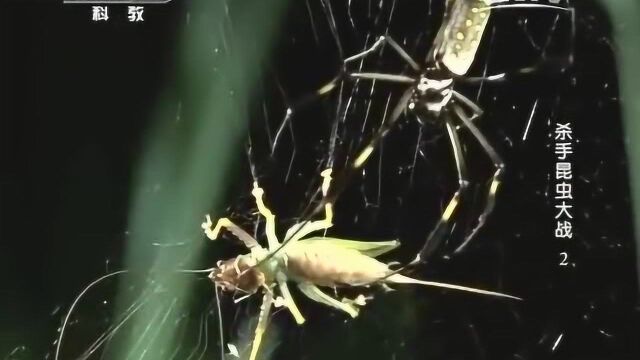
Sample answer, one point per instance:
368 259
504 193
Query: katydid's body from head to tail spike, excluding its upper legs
329 262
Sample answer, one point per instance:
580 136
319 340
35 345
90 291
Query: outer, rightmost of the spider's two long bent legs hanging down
496 179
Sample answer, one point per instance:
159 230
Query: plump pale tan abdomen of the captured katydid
331 265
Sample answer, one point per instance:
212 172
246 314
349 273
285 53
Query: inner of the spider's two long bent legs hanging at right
439 232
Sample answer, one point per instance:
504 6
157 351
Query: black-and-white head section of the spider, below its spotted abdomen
431 95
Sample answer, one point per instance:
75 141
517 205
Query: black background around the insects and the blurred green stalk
77 97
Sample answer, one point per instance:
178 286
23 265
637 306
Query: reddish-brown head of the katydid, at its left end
237 274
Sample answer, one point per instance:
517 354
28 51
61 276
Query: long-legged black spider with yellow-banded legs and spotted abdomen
431 97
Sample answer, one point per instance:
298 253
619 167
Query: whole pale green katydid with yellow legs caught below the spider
311 262
